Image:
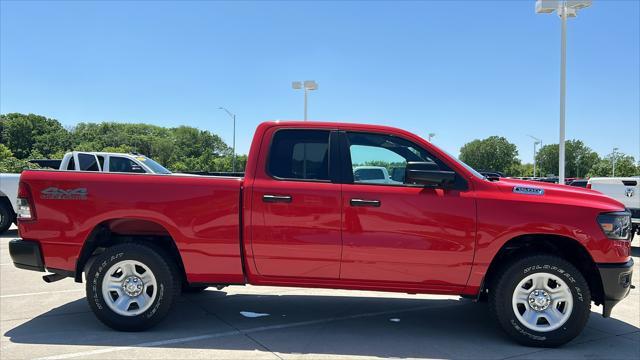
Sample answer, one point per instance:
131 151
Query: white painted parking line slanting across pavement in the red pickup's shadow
230 333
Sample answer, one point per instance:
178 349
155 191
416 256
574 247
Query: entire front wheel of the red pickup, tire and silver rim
541 300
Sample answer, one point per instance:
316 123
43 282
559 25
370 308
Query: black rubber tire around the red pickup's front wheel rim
501 293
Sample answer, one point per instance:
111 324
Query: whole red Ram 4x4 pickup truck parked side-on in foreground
539 253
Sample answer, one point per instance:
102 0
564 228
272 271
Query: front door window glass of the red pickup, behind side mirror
382 159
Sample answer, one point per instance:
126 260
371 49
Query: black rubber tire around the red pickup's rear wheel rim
167 279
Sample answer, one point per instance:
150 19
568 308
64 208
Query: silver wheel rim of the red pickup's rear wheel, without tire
129 288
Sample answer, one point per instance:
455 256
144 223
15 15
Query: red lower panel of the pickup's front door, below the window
415 235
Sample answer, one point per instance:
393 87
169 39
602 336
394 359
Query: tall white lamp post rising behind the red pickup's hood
565 9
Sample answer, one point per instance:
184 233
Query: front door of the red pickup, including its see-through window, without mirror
397 232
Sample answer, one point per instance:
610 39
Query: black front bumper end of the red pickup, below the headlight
616 283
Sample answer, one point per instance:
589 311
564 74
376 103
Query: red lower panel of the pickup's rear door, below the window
299 237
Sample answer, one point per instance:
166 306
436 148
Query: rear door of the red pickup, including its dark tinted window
295 211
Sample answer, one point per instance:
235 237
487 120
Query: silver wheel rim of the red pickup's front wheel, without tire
542 302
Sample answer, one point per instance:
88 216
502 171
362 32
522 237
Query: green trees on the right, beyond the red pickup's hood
496 153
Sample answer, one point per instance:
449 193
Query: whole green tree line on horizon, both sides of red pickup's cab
186 149
